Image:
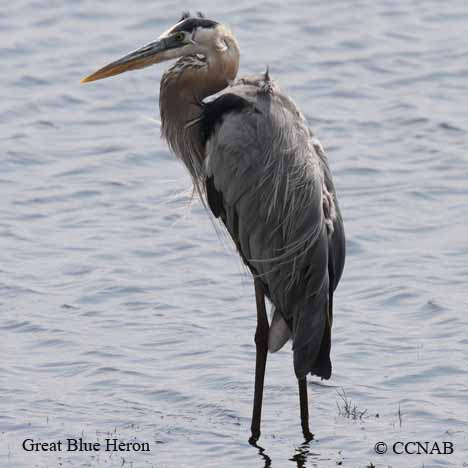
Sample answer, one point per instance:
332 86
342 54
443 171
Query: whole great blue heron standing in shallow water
256 164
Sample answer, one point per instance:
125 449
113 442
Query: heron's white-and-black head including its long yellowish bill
189 36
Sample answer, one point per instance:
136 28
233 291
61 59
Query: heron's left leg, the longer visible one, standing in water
261 343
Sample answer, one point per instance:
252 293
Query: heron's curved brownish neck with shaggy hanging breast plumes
183 87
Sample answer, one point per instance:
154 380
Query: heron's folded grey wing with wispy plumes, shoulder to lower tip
274 194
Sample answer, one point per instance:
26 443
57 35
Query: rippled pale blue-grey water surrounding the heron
124 314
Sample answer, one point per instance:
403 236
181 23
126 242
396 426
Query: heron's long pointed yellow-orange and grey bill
155 52
